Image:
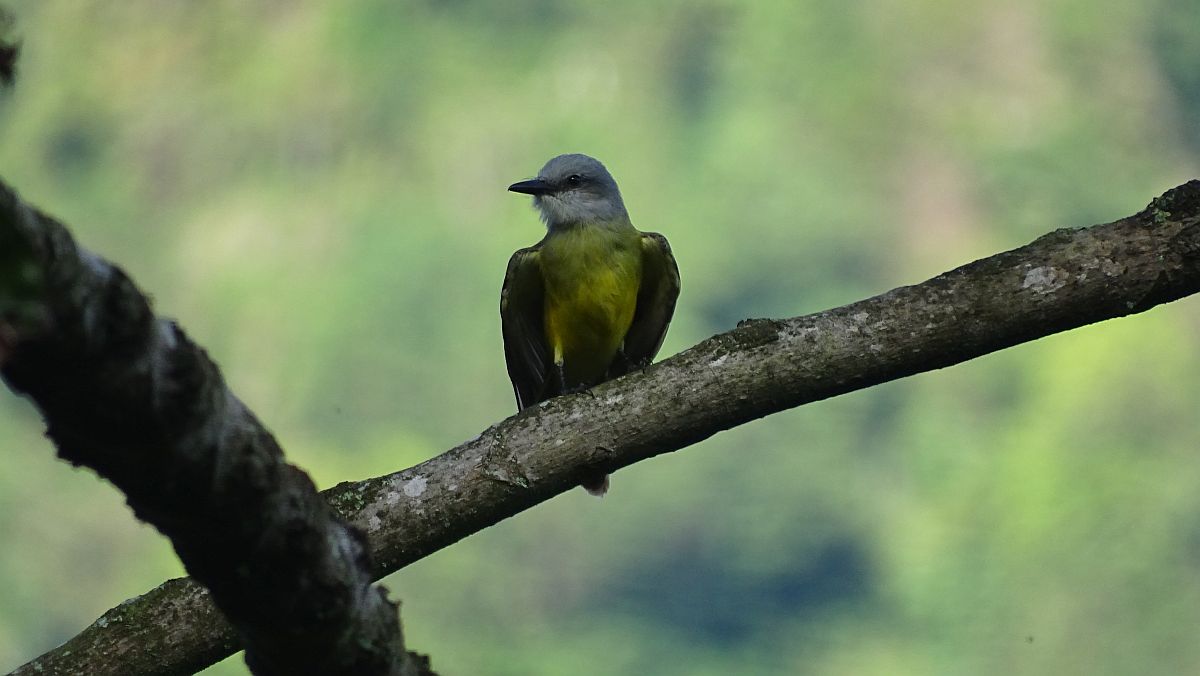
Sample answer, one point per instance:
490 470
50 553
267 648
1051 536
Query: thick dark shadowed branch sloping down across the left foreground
128 394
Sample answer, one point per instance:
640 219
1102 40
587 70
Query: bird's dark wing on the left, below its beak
523 302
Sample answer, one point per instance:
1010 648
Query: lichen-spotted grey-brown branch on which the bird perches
1064 280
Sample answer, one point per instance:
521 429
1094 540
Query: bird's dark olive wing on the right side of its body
656 303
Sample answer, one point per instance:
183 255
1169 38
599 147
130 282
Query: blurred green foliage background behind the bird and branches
316 190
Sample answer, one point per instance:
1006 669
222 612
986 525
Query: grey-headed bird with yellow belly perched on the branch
593 300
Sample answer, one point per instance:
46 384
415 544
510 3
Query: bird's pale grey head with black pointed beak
574 189
